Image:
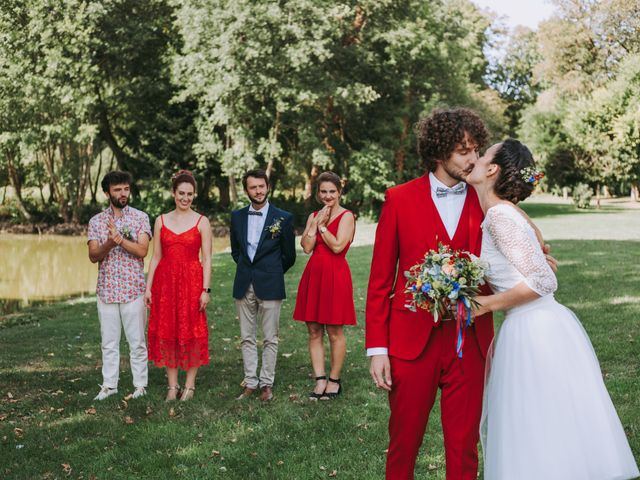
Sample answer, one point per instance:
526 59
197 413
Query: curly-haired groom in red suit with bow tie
411 356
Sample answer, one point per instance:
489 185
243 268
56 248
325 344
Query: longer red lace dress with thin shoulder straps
178 333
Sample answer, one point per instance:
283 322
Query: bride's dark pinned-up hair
512 157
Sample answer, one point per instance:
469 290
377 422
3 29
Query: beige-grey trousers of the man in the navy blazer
250 308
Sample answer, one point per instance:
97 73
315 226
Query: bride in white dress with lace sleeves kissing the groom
547 414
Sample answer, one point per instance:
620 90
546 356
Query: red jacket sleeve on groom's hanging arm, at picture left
383 275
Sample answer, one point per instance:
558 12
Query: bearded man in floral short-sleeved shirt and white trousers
119 239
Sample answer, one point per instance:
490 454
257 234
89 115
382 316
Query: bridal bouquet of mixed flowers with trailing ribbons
443 281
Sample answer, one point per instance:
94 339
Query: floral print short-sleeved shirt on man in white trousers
120 274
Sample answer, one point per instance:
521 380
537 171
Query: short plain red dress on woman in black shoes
325 293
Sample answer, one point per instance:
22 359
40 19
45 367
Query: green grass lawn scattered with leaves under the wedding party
50 370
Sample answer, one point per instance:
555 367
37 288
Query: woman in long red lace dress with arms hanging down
178 289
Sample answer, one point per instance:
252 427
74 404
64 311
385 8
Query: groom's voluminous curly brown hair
439 133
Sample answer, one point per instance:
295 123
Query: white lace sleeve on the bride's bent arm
513 240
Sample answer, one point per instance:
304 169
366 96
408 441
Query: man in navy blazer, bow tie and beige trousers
263 247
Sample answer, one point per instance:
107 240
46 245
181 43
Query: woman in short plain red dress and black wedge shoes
325 293
